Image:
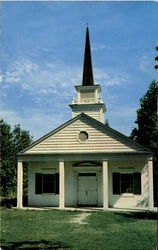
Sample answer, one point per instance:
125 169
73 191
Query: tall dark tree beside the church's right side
146 132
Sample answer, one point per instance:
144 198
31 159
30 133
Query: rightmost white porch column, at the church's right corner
151 195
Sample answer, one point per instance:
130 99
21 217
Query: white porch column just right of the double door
105 185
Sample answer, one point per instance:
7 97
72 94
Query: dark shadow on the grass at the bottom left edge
40 245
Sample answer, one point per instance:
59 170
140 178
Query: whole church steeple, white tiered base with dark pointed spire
88 94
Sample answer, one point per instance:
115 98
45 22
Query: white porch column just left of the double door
62 185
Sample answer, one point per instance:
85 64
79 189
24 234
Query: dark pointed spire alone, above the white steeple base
87 79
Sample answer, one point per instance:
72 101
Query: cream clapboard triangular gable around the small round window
101 139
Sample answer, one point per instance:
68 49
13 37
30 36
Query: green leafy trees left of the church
12 142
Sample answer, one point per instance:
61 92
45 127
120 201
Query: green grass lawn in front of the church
52 229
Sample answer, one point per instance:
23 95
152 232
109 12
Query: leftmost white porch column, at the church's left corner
20 185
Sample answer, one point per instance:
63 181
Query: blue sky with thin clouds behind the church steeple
42 59
